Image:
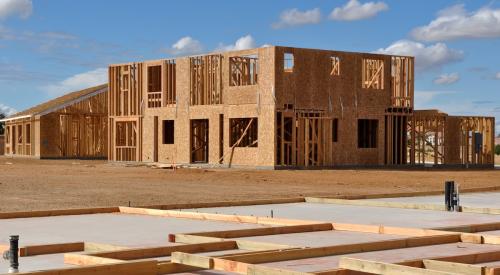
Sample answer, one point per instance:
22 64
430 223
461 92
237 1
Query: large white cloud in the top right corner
456 23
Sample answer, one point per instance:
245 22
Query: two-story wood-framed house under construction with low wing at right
283 107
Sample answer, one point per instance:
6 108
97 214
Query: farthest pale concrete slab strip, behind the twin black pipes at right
479 200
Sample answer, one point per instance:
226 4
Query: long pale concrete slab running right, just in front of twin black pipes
359 214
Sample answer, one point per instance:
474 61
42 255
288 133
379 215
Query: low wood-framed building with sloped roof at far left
70 126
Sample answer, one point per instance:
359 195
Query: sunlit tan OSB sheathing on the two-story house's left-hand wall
238 102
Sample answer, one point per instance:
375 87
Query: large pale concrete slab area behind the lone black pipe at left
116 229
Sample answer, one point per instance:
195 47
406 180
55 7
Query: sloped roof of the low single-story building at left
60 101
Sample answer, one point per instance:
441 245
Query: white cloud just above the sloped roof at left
78 82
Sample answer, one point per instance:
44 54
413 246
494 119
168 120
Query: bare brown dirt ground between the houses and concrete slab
27 184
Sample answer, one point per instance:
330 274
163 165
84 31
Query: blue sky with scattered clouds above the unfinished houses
49 47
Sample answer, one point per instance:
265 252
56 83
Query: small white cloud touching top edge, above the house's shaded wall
354 10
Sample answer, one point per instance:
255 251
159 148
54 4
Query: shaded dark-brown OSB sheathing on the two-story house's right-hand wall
310 86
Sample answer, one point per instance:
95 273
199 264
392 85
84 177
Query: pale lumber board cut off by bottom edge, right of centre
381 268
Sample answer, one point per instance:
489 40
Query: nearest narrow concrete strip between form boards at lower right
388 256
